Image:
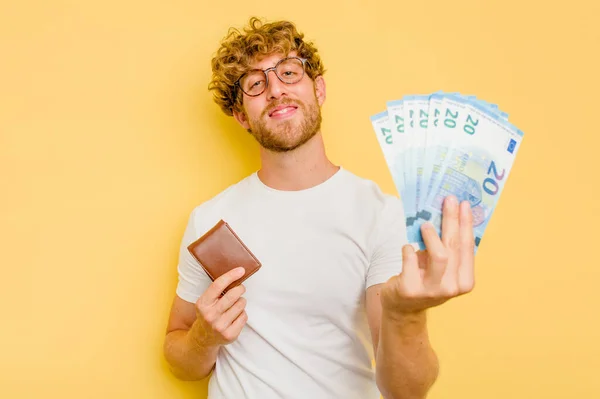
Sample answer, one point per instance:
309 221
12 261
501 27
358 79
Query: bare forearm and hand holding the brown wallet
195 332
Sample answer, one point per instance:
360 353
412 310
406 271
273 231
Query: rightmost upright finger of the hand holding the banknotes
466 273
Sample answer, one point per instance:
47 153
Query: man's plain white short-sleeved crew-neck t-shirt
307 334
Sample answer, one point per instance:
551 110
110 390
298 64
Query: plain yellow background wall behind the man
109 138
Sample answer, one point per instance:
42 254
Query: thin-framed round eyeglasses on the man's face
289 70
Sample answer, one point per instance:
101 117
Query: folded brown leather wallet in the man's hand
220 250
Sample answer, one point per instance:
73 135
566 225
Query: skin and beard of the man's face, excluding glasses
284 116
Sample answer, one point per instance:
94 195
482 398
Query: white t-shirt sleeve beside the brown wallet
193 280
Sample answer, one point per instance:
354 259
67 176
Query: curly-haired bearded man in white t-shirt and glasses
340 287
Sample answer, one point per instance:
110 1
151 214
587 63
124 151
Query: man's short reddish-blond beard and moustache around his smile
287 135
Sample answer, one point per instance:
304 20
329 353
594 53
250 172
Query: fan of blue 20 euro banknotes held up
442 144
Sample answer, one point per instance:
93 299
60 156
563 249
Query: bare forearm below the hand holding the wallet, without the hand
189 359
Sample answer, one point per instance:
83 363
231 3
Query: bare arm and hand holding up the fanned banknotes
406 365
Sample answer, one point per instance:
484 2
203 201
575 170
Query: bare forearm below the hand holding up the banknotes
406 365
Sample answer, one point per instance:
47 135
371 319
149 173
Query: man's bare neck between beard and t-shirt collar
302 168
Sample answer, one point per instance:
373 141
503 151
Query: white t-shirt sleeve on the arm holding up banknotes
388 239
